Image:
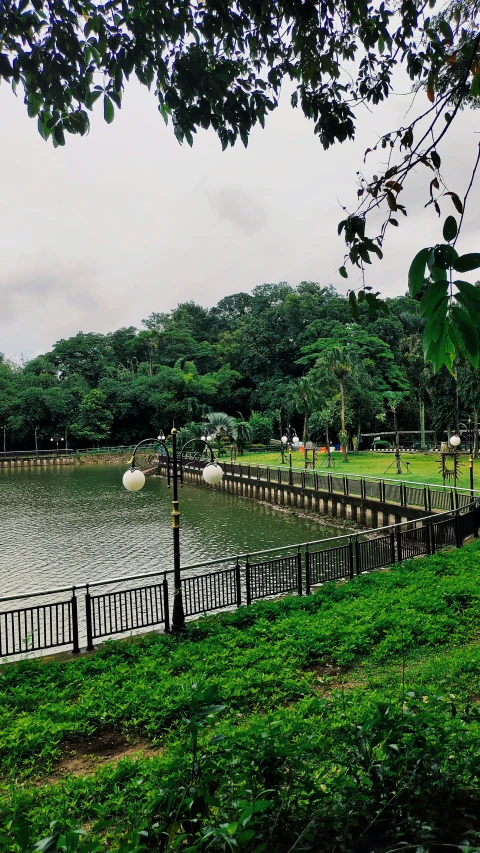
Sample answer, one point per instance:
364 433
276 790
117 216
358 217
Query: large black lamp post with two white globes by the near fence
134 480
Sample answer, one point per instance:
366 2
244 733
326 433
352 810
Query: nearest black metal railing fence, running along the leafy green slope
37 626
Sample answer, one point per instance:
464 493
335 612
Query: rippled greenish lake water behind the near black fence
77 523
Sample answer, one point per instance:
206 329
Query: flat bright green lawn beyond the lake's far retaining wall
424 467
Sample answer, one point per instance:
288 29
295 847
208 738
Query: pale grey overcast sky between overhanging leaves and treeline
126 221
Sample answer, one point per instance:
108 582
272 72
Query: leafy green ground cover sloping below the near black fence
345 721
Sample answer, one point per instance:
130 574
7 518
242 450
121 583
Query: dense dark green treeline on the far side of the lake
282 353
